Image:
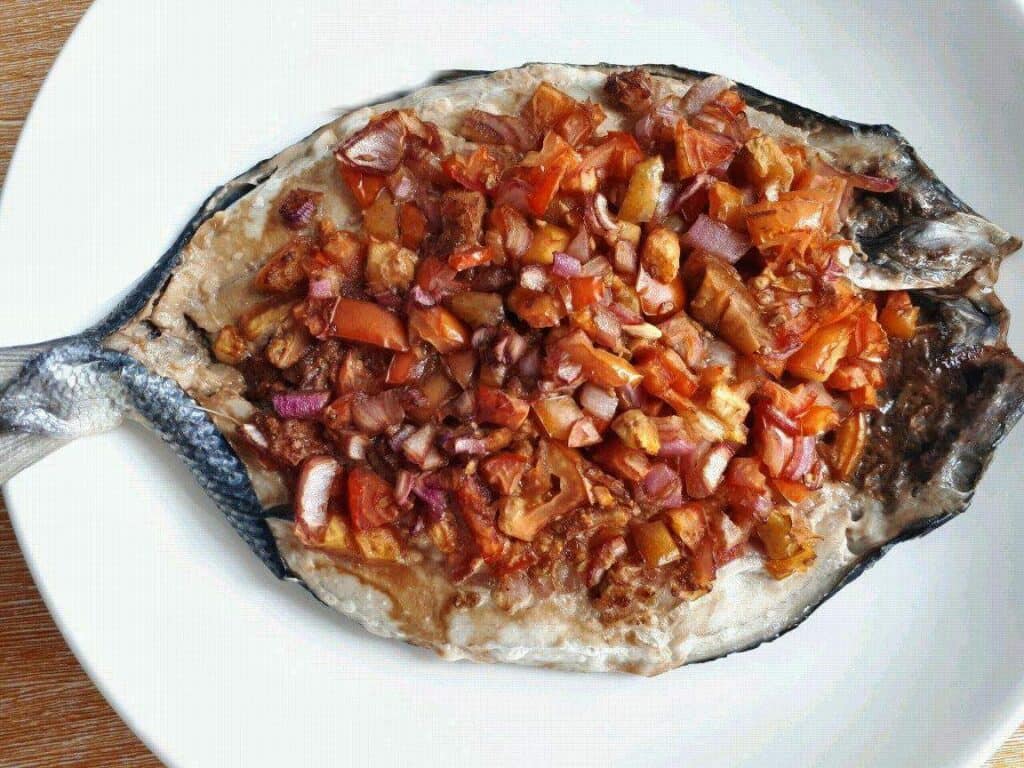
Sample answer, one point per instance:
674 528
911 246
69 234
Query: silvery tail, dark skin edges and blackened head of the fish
936 437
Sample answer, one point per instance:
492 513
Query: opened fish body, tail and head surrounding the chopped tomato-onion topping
957 390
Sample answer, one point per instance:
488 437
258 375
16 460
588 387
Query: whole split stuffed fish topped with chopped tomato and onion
592 368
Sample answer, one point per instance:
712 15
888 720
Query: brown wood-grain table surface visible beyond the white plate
51 713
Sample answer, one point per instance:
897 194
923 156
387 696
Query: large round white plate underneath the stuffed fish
215 663
